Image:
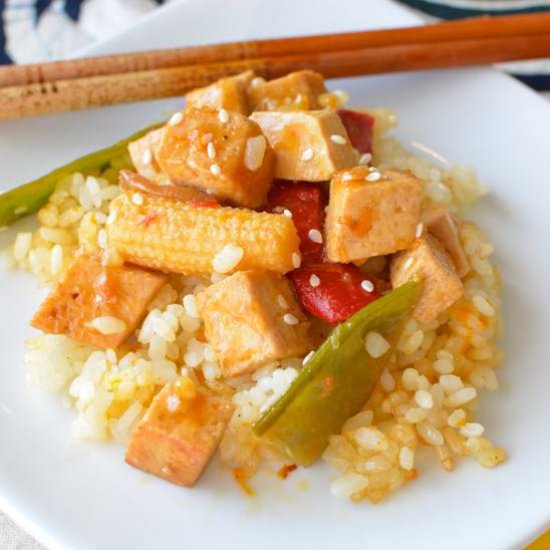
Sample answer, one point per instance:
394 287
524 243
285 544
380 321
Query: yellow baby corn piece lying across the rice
191 238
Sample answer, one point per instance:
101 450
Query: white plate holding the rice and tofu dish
75 496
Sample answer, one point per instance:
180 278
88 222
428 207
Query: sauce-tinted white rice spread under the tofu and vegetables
426 397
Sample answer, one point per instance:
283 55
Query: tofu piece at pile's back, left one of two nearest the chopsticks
226 93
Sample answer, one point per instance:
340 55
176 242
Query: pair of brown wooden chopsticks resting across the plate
30 90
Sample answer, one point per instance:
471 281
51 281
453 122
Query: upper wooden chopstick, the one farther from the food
468 29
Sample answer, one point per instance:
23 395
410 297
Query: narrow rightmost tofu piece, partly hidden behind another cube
443 226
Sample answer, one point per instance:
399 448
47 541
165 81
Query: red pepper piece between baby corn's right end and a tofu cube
306 202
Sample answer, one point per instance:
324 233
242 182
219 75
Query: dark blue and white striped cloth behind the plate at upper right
535 73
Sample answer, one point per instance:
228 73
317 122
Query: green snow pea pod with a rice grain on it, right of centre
336 381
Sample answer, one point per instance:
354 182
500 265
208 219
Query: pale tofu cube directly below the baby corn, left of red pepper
252 318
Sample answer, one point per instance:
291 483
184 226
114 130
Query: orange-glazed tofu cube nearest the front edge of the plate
179 433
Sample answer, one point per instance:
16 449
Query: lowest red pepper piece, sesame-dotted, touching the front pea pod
333 292
